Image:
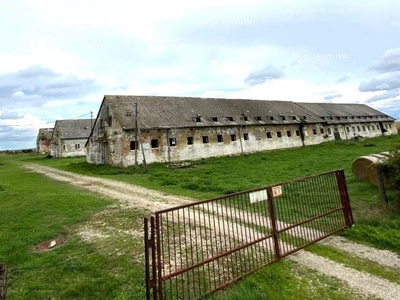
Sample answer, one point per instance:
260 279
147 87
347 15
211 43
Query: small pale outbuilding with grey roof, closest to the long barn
69 137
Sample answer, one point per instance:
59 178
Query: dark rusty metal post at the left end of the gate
151 280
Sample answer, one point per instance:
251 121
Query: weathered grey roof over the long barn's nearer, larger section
159 112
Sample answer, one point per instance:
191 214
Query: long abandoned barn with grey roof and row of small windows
170 129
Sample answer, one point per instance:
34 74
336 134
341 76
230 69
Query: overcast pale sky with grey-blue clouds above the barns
59 58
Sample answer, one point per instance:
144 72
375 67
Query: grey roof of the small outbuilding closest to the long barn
73 129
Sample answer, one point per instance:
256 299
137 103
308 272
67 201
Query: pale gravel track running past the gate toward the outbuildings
139 197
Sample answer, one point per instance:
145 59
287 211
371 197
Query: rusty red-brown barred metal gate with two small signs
196 249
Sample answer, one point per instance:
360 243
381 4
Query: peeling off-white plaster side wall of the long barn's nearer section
205 143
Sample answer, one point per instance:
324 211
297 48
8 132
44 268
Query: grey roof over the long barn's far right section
345 113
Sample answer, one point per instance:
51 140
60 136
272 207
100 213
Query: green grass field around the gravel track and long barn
35 209
